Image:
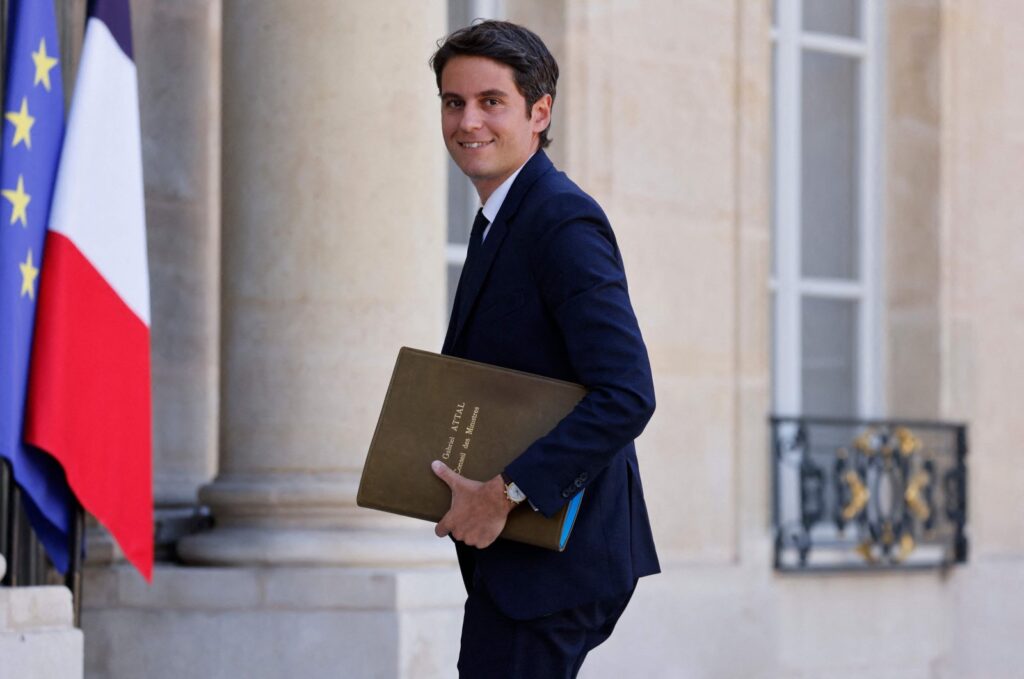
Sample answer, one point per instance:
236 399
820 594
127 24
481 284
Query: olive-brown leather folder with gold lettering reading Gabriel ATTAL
476 418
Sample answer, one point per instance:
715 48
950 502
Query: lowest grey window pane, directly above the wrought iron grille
829 373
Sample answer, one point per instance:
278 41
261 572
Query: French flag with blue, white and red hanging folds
89 403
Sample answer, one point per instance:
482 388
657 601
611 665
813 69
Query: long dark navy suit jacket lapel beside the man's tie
476 273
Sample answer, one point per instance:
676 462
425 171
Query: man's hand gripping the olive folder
479 511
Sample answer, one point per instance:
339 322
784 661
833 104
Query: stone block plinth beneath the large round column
270 622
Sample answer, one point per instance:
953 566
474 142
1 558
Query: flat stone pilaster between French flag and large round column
180 93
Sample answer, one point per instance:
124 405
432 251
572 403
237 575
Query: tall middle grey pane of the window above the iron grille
830 138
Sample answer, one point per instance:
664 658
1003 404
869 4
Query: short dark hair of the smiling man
534 69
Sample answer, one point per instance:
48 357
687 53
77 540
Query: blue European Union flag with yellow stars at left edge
33 132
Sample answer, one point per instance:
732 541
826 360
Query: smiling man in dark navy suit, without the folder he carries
543 291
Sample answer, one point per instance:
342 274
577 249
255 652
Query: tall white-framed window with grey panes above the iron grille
826 270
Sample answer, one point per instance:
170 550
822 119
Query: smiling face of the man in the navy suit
485 122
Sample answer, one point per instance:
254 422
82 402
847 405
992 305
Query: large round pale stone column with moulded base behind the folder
333 258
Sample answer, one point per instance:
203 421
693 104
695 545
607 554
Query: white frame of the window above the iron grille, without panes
790 288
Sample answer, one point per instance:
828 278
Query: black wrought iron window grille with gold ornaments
865 495
